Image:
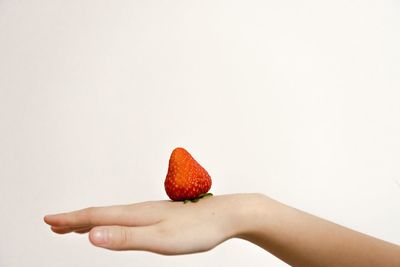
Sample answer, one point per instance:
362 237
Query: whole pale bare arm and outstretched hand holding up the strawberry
174 228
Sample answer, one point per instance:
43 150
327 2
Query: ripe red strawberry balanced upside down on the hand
186 179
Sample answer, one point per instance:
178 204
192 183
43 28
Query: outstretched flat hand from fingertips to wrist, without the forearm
163 227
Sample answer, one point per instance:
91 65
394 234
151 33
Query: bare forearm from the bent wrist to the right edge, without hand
301 239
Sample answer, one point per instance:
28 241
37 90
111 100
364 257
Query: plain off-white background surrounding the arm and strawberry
298 100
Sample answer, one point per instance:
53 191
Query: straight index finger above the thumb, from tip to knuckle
139 214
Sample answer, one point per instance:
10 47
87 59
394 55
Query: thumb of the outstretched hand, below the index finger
124 237
